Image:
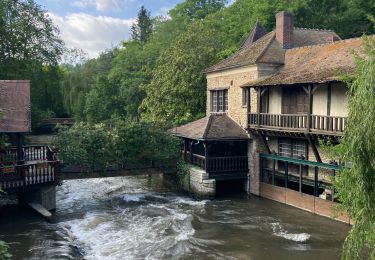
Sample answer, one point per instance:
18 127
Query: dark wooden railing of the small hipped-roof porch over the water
219 164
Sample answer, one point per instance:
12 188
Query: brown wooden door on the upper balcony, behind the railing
294 101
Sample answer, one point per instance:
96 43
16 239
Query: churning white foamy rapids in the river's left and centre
159 226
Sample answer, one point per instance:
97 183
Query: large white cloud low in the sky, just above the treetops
92 34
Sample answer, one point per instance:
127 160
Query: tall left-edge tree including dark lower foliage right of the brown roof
30 48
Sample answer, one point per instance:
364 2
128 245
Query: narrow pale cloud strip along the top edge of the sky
104 5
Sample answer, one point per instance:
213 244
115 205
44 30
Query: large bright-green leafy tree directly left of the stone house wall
177 92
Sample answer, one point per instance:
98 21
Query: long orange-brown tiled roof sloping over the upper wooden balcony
314 64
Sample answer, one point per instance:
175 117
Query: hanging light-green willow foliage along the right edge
356 185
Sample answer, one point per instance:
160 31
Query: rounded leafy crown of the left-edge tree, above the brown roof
28 38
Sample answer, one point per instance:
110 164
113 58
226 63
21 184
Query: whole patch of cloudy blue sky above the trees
96 25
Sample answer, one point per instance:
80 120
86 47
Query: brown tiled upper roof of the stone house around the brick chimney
250 53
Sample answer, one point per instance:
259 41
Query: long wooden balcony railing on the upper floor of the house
314 124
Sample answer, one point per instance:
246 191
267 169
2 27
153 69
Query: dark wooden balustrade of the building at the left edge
27 174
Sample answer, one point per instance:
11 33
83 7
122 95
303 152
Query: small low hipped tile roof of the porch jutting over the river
212 127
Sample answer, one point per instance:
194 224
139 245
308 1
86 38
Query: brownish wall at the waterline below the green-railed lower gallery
302 201
